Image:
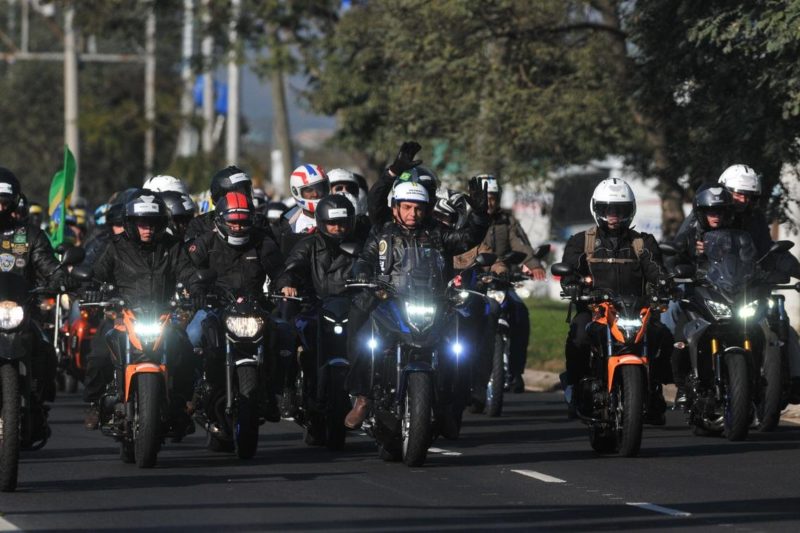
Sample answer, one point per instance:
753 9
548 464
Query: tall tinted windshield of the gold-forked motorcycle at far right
731 259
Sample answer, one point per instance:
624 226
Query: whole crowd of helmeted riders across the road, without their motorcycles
147 241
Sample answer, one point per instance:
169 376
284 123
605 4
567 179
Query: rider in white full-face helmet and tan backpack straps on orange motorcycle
619 259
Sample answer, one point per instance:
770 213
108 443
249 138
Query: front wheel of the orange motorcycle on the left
147 419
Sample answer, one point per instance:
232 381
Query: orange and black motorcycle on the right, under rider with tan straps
611 399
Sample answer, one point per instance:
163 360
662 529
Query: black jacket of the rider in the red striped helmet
239 269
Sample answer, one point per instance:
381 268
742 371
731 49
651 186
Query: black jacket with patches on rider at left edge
26 250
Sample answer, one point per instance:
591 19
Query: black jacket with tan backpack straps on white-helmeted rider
626 279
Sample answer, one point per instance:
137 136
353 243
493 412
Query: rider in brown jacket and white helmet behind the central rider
505 235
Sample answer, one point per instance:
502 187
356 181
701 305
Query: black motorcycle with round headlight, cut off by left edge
16 386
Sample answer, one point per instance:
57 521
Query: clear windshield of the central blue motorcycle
419 272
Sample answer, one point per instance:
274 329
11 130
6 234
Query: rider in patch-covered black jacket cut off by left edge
26 251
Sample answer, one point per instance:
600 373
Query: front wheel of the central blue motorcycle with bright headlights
416 425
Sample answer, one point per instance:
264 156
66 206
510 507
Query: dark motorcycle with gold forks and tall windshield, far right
735 359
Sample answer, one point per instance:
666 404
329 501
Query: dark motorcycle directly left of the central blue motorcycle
323 401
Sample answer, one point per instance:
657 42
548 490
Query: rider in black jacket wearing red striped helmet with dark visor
242 256
